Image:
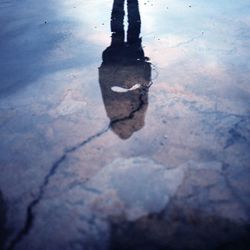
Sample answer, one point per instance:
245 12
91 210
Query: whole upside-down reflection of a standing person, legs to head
125 73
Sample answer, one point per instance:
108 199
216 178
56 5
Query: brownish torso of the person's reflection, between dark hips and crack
120 105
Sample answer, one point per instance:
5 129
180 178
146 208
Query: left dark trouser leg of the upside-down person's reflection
117 19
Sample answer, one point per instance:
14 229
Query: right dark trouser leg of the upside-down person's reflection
134 22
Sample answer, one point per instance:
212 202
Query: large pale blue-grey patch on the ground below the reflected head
135 186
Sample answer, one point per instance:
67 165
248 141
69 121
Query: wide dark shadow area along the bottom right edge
179 230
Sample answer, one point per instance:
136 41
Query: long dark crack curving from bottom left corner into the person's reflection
30 215
